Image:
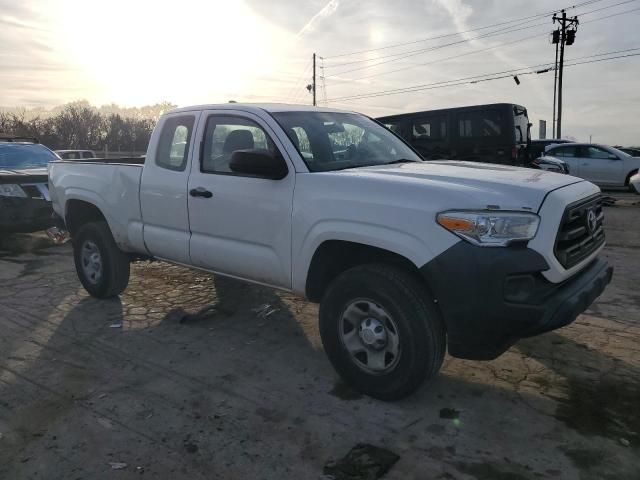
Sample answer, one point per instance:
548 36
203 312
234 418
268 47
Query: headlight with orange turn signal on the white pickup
490 228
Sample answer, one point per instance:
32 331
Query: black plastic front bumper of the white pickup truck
492 297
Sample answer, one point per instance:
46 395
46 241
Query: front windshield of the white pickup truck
335 141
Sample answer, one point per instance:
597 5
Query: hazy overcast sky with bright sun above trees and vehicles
139 52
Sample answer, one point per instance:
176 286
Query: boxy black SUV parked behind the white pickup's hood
495 133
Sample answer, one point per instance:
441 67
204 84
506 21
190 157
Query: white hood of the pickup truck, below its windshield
501 186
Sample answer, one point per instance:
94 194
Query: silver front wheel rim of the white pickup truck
370 336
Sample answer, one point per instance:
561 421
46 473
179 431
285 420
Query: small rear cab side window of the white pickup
173 146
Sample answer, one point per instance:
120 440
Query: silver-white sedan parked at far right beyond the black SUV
603 165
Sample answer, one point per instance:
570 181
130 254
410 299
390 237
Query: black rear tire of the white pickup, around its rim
114 275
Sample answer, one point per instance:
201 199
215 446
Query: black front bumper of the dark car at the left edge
25 215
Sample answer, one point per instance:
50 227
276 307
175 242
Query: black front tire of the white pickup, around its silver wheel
421 333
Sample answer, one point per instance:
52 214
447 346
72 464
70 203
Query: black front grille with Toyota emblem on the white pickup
581 231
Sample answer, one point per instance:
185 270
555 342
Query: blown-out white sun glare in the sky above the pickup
146 51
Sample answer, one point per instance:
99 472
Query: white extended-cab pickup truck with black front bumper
407 258
